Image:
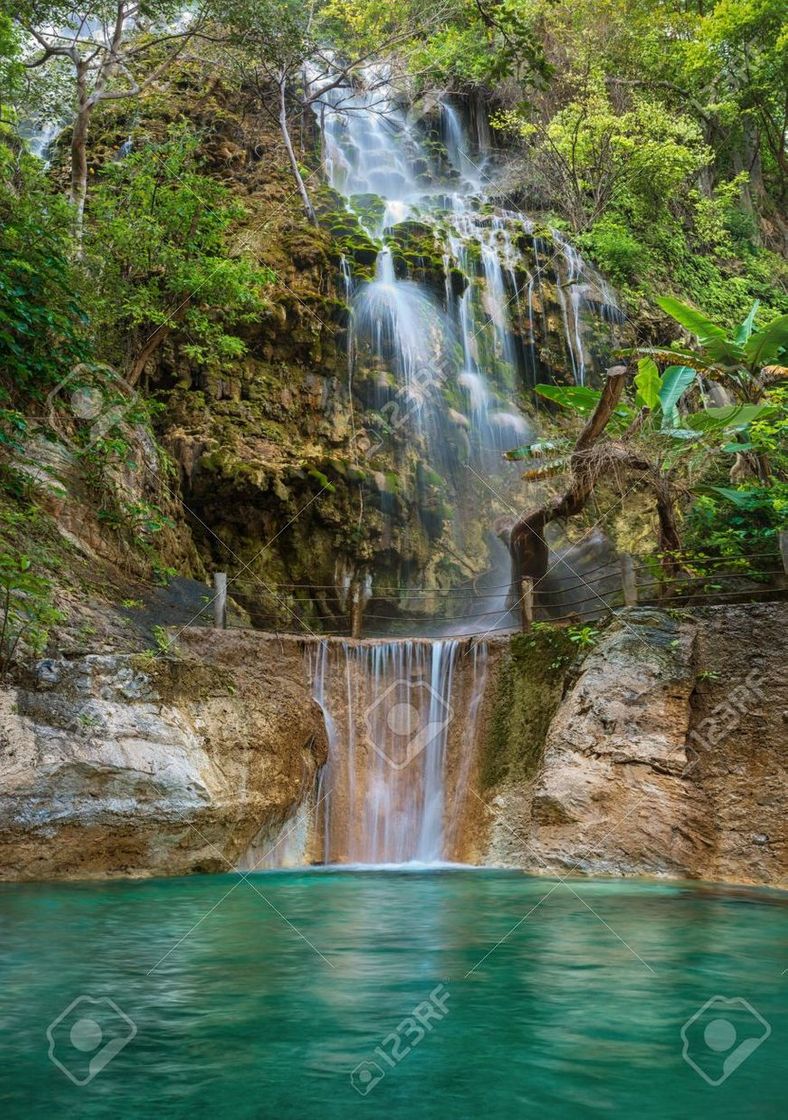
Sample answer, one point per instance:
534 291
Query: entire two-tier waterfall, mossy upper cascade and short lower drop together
448 353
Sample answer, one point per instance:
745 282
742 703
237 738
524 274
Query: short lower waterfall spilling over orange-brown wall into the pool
402 726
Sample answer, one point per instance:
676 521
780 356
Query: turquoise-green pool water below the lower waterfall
259 998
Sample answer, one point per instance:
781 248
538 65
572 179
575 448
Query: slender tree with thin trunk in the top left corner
115 50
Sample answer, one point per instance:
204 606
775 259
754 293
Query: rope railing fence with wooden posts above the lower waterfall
325 610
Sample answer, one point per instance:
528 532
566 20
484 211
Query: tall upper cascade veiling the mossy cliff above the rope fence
458 305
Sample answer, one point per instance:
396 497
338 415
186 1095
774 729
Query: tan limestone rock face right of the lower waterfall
667 757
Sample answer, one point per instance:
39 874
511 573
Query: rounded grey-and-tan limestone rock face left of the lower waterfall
114 766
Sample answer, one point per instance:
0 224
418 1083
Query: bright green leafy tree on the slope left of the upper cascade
164 264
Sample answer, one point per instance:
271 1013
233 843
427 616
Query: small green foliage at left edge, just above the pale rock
26 610
